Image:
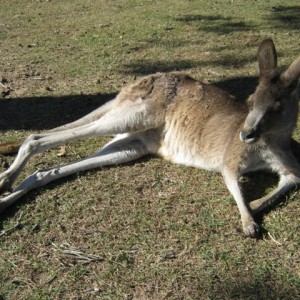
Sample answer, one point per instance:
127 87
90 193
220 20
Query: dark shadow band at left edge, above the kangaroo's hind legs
41 113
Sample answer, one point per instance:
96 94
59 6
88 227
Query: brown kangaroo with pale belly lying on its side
189 123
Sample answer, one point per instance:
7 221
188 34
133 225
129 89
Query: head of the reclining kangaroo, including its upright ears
273 107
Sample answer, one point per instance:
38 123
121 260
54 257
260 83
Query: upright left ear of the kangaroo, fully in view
267 57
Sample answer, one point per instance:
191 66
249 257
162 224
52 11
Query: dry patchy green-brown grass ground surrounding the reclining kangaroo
165 231
